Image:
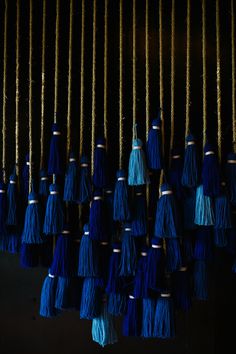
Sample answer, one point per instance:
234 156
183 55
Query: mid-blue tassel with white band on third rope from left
32 232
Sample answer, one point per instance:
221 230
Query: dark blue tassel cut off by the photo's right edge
231 176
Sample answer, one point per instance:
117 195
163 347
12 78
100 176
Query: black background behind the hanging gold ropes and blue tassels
209 327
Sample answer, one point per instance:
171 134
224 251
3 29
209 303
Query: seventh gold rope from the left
82 78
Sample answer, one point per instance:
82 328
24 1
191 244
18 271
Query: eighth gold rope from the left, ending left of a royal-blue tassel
93 83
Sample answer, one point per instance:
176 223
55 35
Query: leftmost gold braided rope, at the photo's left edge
4 94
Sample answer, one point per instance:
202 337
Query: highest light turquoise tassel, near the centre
138 172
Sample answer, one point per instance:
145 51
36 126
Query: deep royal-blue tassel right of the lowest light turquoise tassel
132 319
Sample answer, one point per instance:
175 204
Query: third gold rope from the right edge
204 81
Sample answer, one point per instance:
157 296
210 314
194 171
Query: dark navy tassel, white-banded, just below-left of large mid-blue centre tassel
155 266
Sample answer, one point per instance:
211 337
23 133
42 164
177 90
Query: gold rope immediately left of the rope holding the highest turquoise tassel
121 143
